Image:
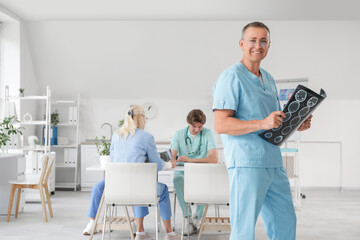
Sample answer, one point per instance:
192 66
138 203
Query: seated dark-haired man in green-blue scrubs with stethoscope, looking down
195 144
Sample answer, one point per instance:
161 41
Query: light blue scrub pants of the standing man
265 191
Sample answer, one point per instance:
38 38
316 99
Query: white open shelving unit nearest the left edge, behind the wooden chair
33 165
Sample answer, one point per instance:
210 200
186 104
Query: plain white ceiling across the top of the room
43 10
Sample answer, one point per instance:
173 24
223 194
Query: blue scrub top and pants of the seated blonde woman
134 149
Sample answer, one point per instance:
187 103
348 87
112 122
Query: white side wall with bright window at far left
16 64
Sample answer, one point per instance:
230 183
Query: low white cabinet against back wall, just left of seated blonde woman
89 157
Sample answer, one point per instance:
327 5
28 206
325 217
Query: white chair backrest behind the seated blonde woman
131 183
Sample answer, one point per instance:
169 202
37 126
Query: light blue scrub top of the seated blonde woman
135 149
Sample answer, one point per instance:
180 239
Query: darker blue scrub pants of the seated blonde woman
139 212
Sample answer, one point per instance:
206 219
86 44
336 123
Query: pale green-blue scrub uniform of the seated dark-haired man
198 147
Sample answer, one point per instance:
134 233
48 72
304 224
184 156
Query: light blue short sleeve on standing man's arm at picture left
227 91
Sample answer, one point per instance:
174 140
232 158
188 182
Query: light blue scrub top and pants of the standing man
258 181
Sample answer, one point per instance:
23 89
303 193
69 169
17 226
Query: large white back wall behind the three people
175 64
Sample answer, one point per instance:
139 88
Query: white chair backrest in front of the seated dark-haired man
206 183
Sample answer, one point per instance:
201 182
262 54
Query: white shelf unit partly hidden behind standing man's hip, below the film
290 155
